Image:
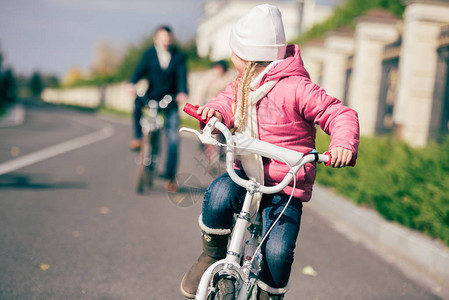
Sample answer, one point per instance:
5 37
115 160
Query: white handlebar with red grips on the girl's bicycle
241 145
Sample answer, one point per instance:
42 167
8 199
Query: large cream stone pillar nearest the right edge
417 69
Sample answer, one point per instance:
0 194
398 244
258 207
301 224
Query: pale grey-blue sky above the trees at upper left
52 36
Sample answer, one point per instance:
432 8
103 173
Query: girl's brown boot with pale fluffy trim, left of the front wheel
214 249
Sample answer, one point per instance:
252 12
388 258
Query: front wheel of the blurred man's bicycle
144 170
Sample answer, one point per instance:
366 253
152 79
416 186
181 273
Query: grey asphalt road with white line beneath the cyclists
72 226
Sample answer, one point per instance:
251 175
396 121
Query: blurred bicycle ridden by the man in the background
151 123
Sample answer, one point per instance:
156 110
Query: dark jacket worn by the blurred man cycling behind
172 80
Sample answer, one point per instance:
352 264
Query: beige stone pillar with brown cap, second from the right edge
374 31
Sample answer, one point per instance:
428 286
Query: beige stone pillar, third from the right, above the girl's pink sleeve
339 46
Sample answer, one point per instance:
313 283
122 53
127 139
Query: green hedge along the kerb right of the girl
406 185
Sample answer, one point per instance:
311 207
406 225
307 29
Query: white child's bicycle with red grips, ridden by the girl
235 276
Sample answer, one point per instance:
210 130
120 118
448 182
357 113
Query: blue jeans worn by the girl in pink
224 197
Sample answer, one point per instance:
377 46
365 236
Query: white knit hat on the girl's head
259 35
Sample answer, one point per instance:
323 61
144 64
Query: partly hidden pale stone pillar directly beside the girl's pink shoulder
312 54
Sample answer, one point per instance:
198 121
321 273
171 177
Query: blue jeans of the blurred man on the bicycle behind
172 135
